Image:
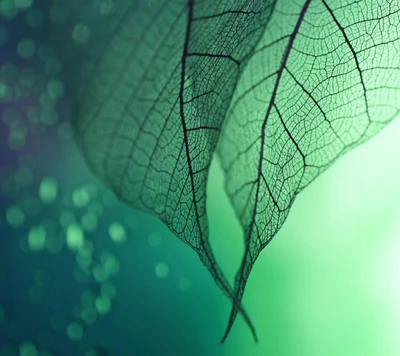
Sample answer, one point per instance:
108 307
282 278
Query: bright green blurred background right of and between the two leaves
329 282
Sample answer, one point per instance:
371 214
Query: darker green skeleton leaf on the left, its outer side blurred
153 88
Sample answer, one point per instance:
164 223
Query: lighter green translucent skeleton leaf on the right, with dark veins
324 78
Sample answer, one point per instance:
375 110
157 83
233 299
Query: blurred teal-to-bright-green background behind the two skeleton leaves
82 274
